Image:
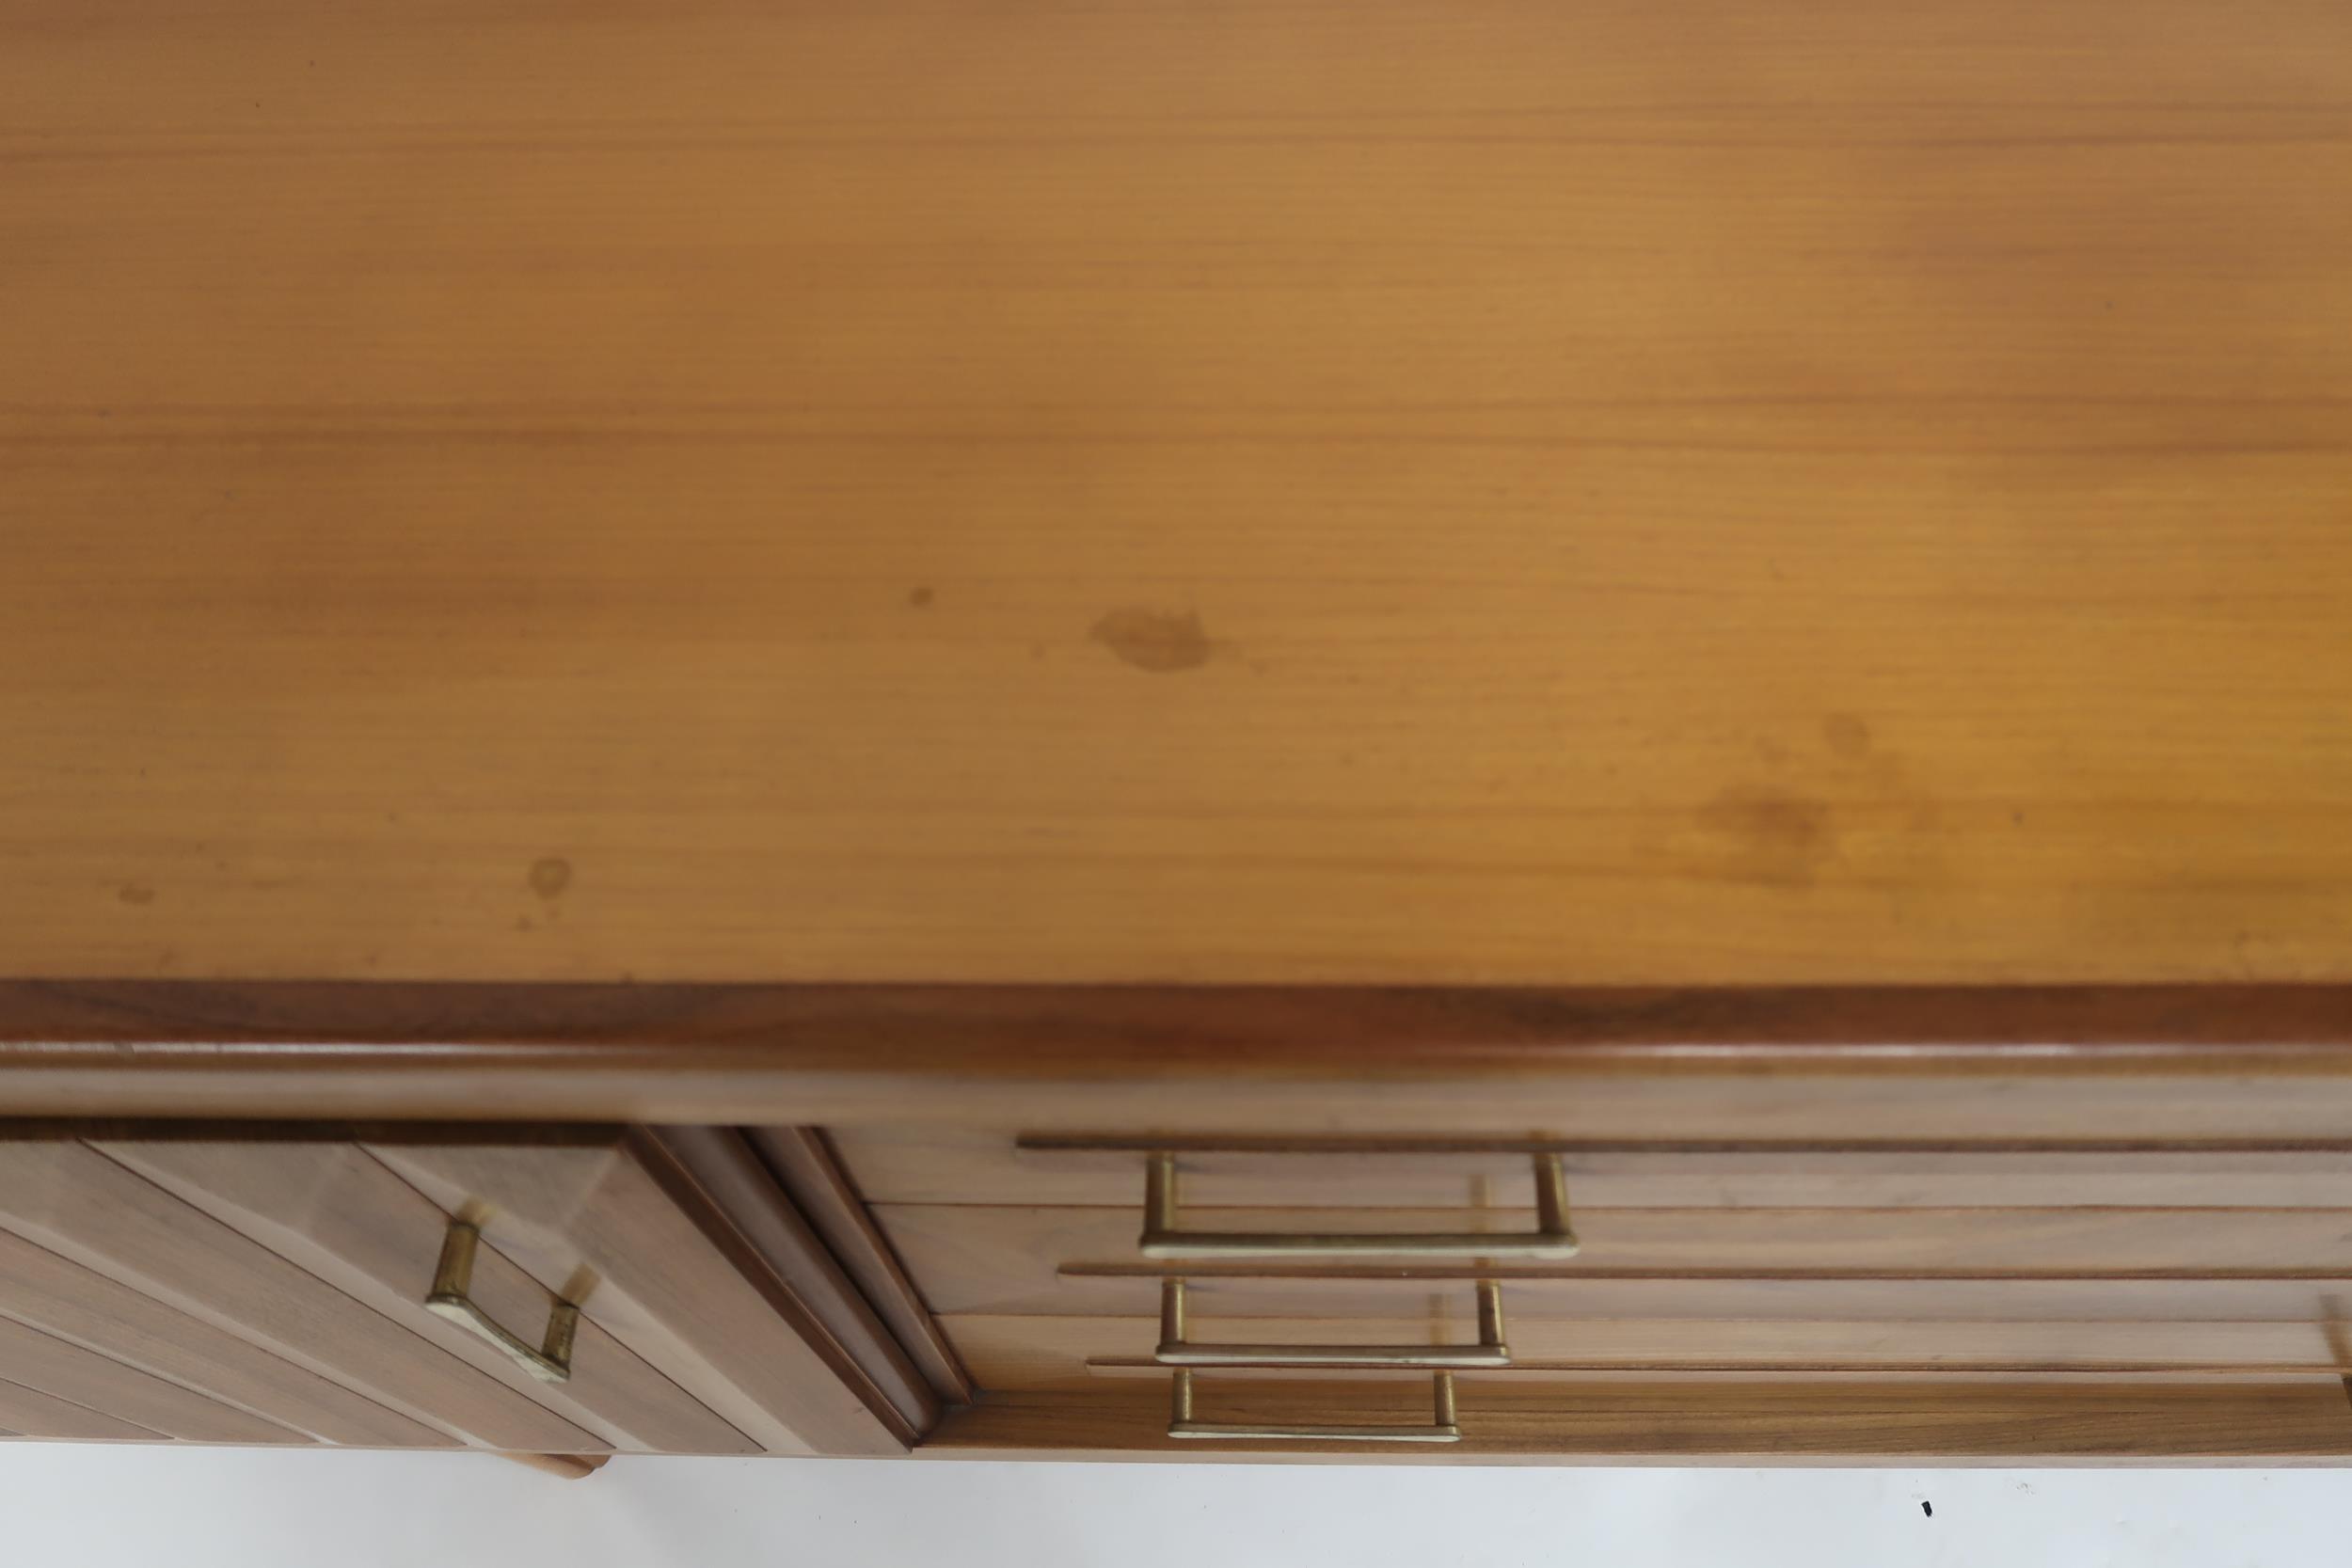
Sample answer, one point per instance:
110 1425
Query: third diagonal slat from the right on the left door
95 1212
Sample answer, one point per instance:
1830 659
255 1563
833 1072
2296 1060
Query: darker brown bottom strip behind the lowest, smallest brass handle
1702 1421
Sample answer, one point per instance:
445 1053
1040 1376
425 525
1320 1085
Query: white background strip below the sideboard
116 1508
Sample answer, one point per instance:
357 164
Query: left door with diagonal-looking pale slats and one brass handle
274 1289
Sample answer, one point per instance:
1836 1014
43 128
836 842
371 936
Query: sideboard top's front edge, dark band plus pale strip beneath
815 1054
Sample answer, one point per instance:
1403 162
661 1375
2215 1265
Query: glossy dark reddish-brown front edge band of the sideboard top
1057 1031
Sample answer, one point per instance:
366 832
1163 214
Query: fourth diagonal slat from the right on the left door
74 1304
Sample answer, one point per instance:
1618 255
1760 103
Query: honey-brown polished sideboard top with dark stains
871 490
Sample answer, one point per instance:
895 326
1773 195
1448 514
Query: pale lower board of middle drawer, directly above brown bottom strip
1074 1353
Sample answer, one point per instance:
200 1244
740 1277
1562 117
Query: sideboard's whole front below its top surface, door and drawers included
1252 1224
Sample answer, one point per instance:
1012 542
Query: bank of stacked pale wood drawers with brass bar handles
1697 1266
